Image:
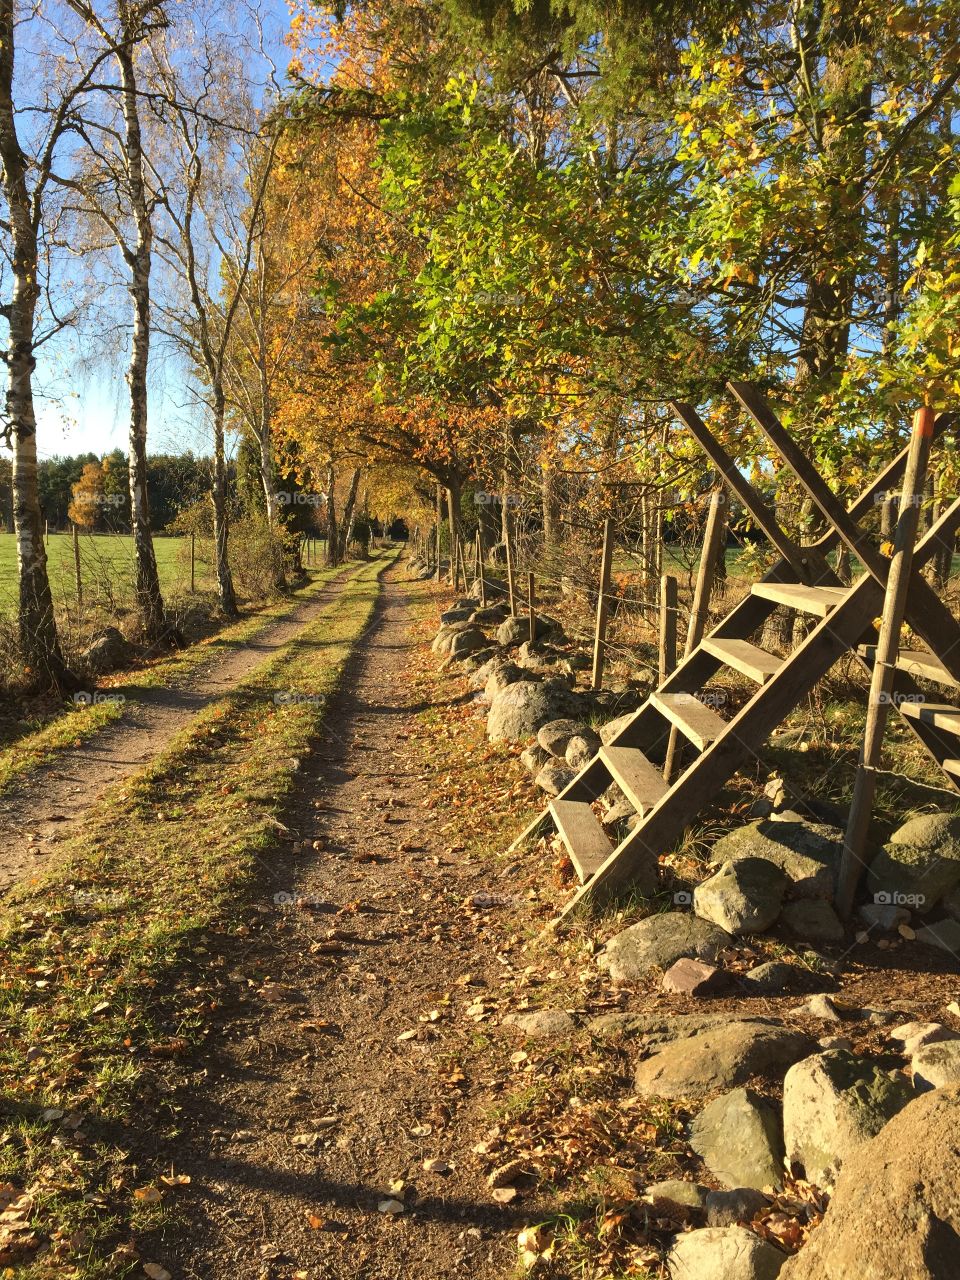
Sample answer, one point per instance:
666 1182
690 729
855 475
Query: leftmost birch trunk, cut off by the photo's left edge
40 643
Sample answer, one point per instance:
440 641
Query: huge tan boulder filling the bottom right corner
895 1214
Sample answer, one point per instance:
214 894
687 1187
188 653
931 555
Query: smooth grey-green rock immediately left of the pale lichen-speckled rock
738 1137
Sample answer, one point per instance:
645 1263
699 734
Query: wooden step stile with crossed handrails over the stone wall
803 582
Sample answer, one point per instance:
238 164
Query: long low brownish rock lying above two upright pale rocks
720 1059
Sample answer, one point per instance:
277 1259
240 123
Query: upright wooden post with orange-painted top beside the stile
885 661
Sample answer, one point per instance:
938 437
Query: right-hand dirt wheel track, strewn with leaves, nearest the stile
327 1077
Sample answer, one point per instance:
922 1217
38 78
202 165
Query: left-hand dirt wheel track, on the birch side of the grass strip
49 804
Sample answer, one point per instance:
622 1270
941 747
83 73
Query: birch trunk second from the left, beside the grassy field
139 258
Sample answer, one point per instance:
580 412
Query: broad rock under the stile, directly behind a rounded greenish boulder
806 852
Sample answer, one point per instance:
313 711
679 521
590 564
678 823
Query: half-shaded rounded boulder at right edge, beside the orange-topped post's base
920 863
